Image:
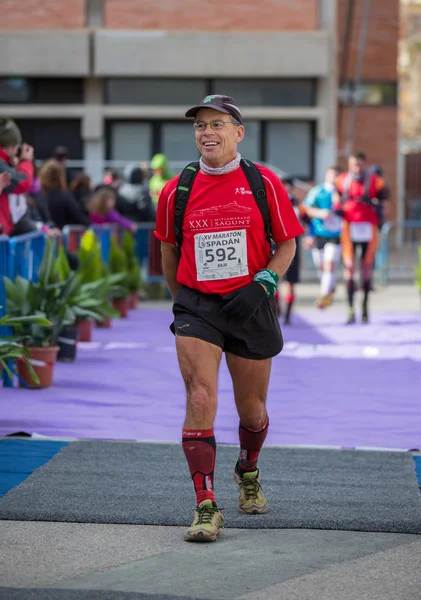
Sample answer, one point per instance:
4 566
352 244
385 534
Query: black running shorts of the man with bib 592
199 315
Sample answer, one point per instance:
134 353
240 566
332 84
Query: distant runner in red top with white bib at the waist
361 192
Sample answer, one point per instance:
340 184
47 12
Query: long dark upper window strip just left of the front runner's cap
168 92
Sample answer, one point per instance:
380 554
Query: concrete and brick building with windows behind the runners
111 79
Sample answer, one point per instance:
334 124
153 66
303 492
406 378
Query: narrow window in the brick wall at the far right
369 93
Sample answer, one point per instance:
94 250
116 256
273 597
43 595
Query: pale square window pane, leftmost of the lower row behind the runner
130 141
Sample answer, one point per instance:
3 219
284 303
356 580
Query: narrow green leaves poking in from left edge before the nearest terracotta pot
12 348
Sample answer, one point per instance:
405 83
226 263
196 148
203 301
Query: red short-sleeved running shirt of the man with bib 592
224 240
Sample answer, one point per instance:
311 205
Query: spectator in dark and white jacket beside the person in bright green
133 200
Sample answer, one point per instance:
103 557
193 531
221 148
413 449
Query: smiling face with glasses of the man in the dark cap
217 146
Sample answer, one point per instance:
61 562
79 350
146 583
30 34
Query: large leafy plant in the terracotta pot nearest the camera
47 298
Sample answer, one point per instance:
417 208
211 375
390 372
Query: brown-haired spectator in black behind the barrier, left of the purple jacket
62 205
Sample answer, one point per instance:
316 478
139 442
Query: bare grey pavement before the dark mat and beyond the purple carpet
155 562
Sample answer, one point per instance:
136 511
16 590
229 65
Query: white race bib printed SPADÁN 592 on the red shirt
221 255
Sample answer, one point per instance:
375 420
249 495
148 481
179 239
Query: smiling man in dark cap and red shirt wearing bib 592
222 284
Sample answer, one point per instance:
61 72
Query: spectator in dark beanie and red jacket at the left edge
10 140
